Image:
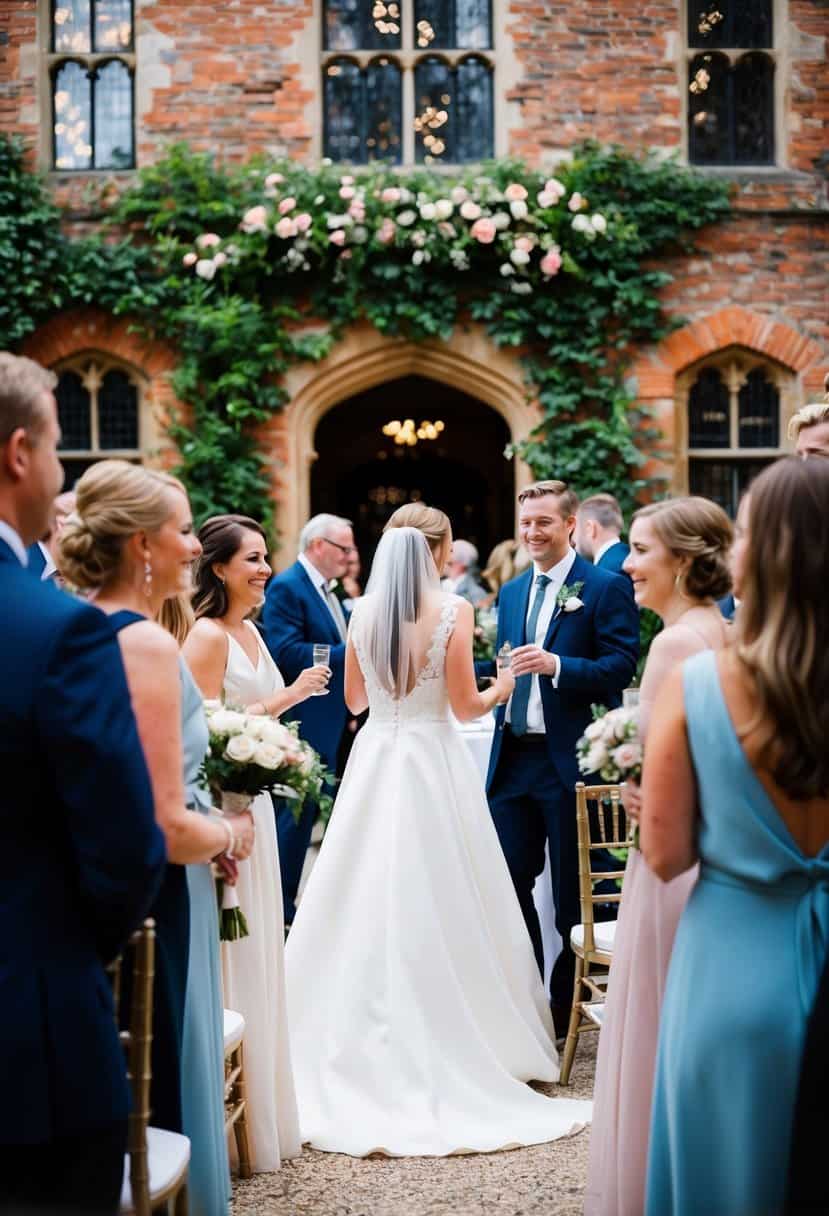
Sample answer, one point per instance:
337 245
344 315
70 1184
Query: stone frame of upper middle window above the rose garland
407 57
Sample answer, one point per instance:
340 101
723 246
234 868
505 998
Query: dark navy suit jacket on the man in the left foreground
82 858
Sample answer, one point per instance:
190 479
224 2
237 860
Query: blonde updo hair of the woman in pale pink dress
702 532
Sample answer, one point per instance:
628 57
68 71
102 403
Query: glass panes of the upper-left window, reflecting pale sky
92 67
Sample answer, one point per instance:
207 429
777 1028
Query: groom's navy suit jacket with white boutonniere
597 646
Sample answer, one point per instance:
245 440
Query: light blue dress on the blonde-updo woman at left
204 1056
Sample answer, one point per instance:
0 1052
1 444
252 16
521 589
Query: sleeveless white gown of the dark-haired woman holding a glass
253 969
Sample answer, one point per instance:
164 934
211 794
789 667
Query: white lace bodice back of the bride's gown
428 701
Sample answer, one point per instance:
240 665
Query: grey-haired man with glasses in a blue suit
302 611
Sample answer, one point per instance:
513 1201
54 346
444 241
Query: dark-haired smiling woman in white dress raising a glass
229 660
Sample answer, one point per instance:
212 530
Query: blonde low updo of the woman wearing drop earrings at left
115 500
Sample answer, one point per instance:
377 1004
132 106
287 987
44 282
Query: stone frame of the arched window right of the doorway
736 363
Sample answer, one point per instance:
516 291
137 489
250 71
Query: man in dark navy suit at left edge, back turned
82 853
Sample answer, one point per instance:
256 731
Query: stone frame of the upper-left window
49 64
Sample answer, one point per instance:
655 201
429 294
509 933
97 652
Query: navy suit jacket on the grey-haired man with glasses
296 618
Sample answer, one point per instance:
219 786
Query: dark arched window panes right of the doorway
734 426
